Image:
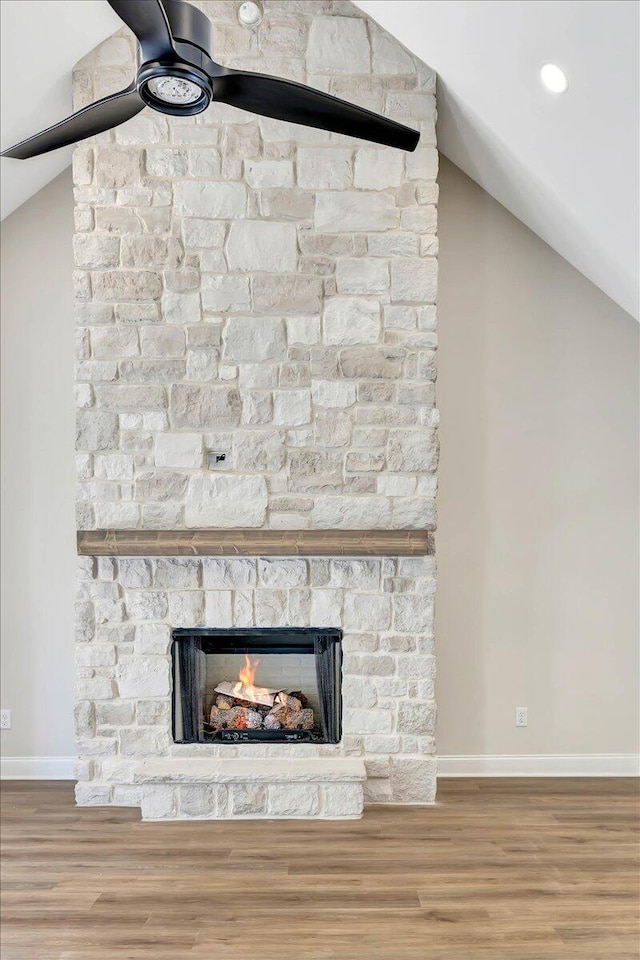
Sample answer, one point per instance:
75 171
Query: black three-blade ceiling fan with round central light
176 75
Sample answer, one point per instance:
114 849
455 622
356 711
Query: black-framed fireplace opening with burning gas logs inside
269 685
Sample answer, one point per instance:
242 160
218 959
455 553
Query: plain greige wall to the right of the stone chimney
538 498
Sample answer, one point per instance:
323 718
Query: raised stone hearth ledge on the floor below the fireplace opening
218 789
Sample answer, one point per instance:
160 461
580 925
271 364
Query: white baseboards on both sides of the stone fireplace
541 765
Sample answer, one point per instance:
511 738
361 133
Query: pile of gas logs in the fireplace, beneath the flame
286 711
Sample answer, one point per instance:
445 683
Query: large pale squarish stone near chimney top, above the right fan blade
338 45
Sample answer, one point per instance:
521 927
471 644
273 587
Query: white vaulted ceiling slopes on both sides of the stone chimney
567 166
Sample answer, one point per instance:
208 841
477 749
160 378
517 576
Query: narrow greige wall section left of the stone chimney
38 475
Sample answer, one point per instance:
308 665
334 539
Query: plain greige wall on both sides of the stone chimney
538 501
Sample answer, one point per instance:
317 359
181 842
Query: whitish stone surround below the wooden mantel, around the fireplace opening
128 607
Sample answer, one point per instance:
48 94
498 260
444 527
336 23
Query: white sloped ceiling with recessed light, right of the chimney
566 165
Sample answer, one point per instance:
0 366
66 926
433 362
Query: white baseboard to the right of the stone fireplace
542 765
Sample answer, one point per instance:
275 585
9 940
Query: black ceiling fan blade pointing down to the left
96 118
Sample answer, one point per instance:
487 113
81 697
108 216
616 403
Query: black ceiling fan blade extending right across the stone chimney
286 100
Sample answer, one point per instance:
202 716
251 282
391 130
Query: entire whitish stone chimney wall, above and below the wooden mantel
256 348
